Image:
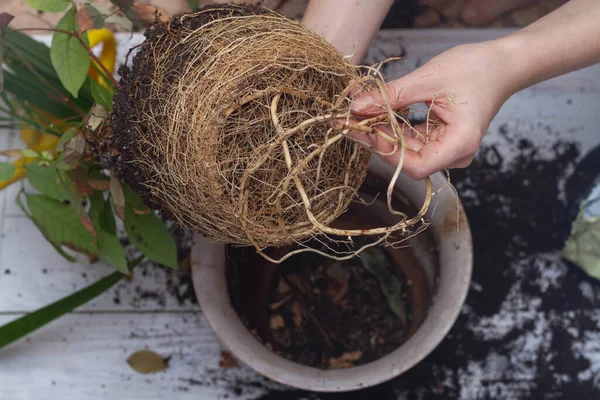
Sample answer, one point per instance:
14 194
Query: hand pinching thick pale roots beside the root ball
463 87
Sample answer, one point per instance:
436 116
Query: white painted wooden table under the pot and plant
83 355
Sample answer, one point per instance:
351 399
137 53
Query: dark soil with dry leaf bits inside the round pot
334 314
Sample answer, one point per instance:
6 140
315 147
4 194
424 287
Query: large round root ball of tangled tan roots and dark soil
232 122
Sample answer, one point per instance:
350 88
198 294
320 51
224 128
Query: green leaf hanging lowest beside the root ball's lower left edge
148 233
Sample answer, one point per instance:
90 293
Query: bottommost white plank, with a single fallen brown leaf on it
83 356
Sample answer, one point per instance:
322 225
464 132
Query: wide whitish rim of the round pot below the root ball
450 231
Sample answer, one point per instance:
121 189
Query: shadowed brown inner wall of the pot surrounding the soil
250 277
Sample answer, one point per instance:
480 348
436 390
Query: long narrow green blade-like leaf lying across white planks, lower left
30 322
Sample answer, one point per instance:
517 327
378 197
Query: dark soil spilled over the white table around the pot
530 328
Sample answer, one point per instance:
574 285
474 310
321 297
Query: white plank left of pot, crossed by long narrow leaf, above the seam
33 274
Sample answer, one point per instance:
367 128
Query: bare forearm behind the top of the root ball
349 25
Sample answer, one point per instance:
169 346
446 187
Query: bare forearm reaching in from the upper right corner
563 41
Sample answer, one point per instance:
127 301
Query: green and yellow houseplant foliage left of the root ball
58 98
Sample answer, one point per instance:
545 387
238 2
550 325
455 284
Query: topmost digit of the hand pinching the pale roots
409 89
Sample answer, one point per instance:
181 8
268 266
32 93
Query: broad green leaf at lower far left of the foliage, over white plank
60 223
